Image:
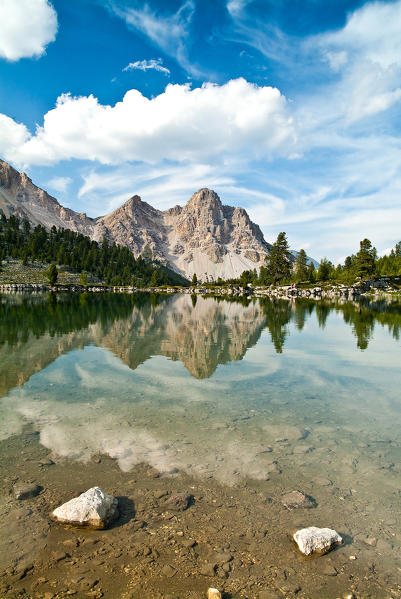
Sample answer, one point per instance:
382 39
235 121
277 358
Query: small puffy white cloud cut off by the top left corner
26 28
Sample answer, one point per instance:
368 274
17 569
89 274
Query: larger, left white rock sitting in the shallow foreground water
94 508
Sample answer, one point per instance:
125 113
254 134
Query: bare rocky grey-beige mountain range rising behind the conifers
203 237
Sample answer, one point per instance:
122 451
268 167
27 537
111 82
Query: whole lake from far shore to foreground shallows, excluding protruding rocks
234 402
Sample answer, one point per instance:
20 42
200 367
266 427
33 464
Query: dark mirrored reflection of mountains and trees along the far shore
201 333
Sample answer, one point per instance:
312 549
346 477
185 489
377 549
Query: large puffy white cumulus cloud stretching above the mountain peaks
181 124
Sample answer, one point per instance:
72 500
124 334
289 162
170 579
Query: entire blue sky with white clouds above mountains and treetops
288 108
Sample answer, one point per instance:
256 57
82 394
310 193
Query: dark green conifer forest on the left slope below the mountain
113 264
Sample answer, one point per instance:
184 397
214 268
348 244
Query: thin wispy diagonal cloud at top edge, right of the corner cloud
169 33
